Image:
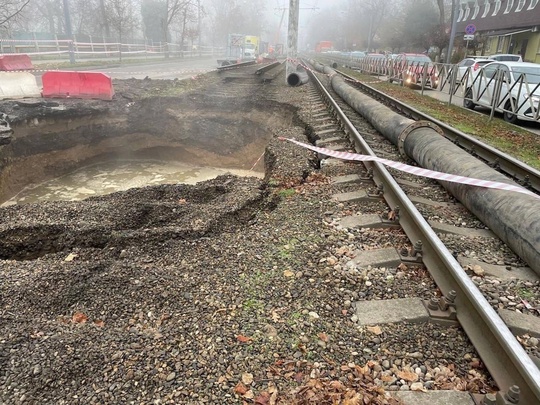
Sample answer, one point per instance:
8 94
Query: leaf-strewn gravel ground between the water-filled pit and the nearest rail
235 290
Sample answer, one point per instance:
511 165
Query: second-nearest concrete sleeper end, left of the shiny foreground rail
391 311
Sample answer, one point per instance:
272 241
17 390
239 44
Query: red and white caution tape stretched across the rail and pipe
417 171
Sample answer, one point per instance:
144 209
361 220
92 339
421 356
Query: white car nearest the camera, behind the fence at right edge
513 88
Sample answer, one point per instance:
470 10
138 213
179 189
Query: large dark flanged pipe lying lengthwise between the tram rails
513 217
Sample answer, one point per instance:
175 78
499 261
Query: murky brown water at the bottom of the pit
106 178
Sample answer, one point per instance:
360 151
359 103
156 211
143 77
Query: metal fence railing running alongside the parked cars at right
515 94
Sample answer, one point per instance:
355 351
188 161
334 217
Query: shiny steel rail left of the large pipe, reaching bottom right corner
500 351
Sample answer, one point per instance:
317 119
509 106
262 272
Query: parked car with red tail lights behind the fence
408 68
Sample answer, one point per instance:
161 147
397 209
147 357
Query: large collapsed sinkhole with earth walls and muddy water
74 149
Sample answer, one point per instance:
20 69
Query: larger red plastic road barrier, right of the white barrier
88 85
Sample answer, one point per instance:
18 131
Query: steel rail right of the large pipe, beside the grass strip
507 164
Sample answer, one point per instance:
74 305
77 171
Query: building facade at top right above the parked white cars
506 26
